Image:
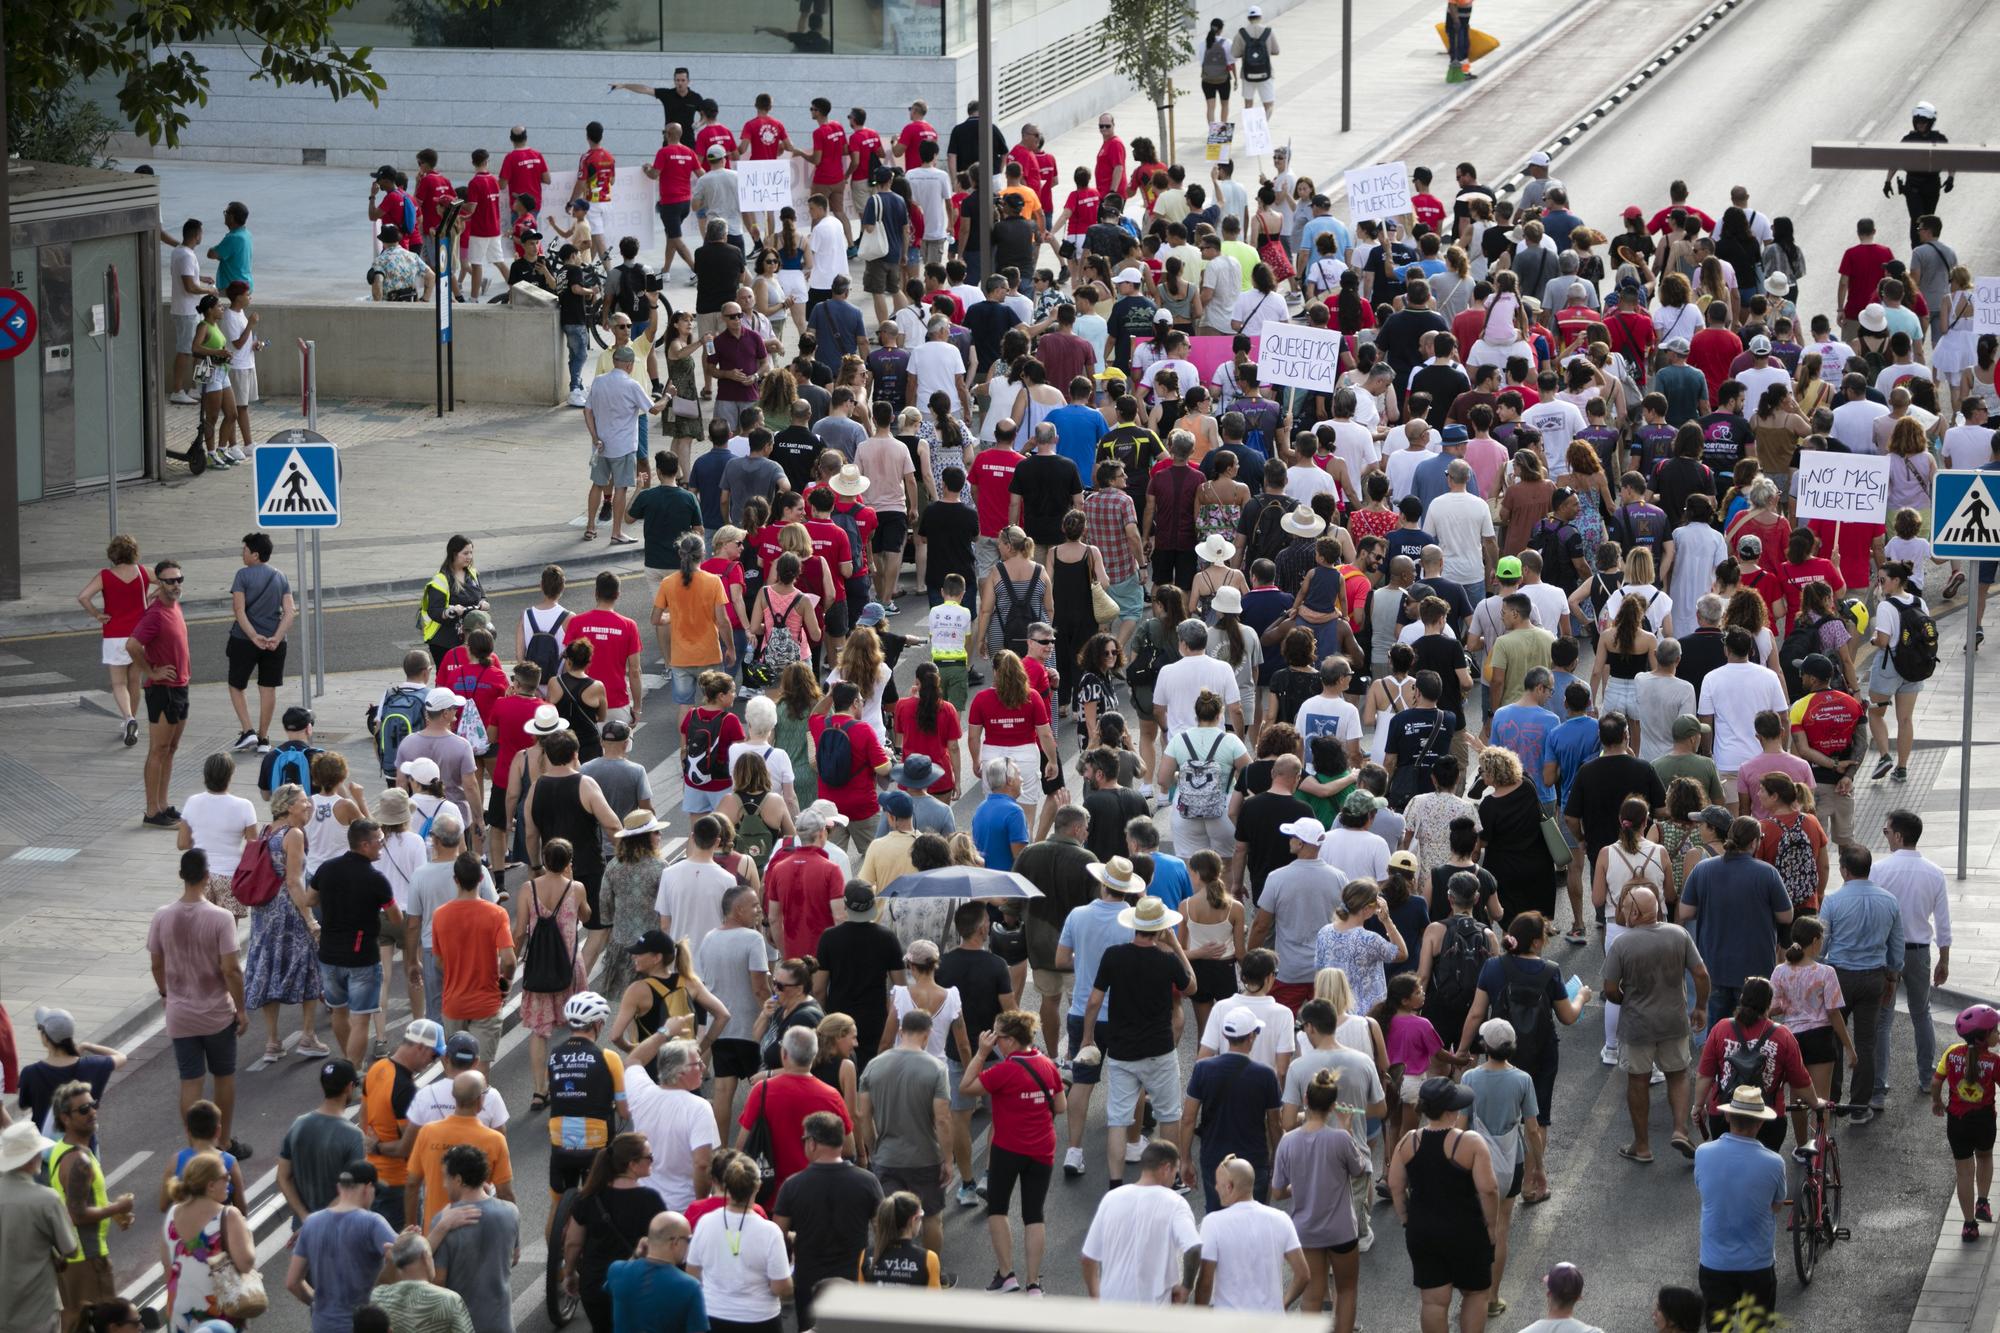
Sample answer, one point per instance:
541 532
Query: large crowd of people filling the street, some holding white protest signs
1327 722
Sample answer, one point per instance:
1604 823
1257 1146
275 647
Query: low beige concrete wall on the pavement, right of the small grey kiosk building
387 351
